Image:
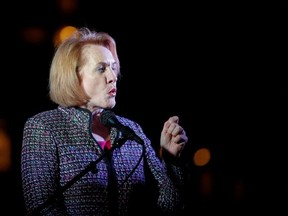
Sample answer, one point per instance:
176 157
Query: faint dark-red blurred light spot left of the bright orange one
34 35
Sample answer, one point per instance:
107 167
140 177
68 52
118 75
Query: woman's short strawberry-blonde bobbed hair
64 81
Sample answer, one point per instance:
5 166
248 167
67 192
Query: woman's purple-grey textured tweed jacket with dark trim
58 144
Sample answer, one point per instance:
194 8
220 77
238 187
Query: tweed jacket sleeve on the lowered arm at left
40 169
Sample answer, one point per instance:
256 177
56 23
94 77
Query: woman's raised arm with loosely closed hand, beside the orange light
169 174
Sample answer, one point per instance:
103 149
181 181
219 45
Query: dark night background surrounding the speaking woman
219 66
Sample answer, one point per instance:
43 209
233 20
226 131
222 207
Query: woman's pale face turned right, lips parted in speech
99 77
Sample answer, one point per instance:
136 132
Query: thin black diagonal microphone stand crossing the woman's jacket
90 167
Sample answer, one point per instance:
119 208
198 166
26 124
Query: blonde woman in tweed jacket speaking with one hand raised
61 144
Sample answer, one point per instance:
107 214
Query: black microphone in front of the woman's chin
108 118
